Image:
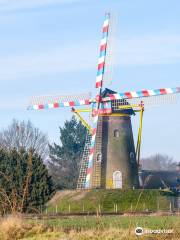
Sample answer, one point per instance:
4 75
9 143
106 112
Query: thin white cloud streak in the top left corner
11 5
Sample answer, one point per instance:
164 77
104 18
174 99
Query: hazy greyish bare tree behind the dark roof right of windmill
159 162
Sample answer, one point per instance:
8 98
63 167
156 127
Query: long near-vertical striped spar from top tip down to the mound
99 84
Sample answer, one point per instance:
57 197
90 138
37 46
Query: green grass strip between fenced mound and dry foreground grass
86 223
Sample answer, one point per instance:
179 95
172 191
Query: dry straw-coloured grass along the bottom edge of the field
14 227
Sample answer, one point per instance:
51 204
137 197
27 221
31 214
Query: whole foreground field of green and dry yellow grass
88 228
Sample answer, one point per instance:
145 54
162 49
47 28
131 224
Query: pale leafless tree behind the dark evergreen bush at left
24 135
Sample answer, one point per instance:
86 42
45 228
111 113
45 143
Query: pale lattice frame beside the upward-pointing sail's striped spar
111 51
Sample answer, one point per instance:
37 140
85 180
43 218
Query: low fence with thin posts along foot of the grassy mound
170 204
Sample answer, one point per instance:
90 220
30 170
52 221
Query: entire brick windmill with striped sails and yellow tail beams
110 159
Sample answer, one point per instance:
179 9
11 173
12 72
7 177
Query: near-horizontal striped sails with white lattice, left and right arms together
150 97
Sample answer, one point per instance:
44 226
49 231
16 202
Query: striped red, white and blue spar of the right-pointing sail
144 94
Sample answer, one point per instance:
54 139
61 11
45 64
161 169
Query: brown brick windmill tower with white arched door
114 159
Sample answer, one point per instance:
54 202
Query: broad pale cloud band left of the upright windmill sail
59 60
